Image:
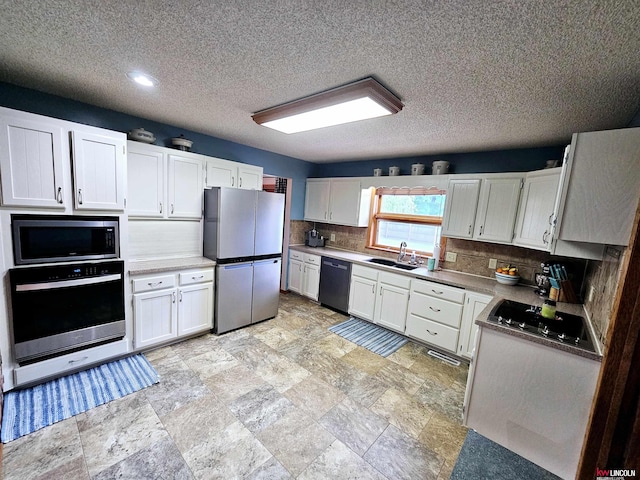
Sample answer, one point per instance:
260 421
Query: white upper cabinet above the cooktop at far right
601 188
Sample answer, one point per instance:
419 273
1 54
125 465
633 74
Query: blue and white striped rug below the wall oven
31 409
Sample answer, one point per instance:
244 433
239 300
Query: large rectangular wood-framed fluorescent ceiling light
349 103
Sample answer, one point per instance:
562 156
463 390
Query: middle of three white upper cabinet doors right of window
497 209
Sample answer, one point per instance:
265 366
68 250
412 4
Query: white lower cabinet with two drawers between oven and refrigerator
172 305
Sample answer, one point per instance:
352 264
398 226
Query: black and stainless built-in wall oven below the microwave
58 309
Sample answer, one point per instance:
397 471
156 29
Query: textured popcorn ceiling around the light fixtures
473 75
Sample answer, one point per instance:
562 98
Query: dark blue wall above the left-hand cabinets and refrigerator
18 98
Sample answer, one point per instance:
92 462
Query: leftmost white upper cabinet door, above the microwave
31 156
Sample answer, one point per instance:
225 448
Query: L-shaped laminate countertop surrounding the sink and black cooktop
488 286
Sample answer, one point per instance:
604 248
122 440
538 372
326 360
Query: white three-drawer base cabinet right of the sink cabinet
435 313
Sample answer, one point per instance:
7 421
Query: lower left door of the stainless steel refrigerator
233 296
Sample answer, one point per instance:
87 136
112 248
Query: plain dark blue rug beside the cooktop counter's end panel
480 458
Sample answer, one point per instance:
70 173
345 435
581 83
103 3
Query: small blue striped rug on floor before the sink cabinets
370 336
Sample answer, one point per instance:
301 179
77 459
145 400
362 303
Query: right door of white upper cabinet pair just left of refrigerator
185 187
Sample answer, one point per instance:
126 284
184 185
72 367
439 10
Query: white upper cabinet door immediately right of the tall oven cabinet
146 169
